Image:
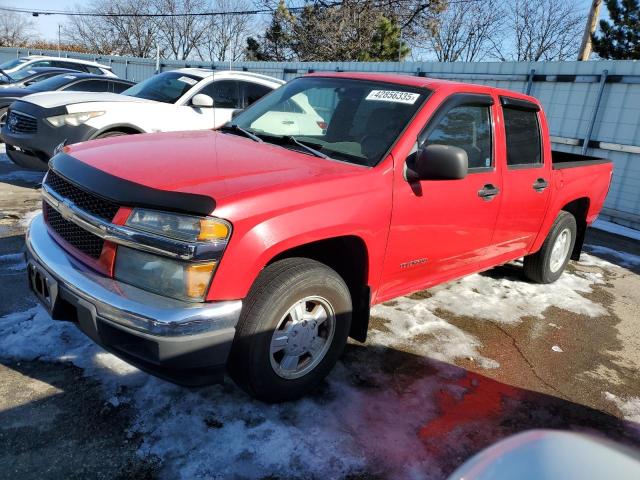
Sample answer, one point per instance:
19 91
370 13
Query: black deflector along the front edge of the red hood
127 193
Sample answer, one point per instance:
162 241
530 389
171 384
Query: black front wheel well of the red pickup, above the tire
349 257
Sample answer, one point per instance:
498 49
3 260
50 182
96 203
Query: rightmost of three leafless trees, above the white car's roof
225 37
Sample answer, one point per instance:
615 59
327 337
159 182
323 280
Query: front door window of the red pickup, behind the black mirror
467 127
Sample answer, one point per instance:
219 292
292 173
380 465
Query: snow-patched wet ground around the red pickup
445 373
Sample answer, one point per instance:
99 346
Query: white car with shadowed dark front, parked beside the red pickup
170 101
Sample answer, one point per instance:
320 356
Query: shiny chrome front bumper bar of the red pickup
124 304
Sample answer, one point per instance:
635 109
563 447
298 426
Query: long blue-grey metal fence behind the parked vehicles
592 107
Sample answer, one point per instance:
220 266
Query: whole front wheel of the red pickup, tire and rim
268 321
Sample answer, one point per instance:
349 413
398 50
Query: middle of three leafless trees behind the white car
179 36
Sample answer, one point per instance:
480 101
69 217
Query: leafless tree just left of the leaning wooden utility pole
538 30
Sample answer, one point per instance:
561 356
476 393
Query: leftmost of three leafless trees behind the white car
114 31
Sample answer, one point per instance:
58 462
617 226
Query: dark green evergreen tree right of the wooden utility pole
620 38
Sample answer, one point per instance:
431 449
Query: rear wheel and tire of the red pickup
546 265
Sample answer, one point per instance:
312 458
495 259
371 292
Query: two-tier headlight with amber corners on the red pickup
167 276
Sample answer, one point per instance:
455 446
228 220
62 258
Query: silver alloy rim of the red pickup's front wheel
302 338
